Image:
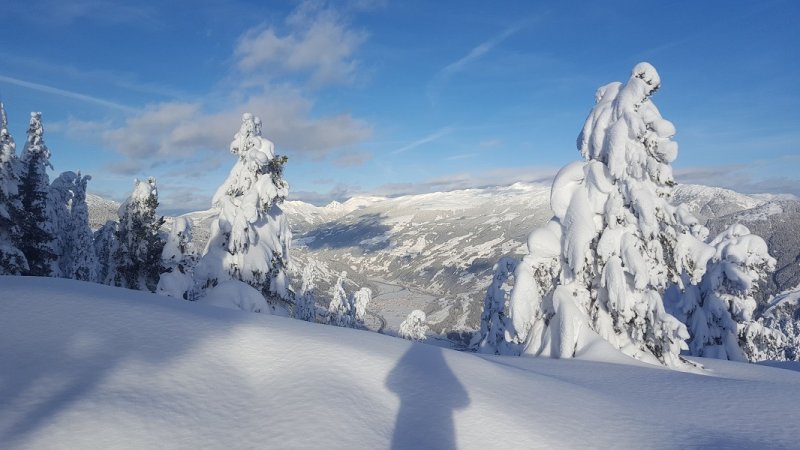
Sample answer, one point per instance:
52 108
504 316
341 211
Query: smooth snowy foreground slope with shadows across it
88 366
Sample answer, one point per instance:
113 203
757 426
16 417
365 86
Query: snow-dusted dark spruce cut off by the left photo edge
12 260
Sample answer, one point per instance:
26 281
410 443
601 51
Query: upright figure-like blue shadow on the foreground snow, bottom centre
429 394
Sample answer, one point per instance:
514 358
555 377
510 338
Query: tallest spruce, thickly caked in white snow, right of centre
600 266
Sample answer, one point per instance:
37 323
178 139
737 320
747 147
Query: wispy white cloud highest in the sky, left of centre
318 41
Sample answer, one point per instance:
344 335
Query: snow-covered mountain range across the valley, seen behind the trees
435 251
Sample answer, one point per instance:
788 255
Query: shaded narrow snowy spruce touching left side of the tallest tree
495 333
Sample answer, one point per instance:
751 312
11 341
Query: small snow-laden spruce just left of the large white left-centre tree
178 260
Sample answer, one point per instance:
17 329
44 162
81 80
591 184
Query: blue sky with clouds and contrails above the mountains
392 97
